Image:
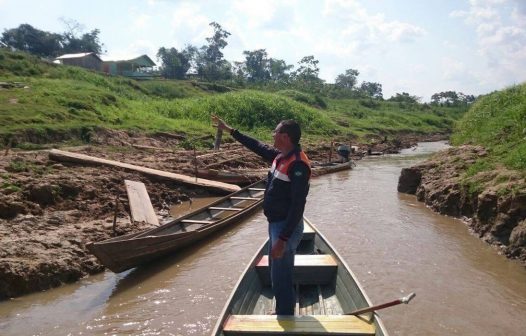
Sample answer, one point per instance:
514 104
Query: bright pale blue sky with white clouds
420 47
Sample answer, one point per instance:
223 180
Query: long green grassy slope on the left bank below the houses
67 98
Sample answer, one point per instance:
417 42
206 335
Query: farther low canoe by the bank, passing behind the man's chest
242 176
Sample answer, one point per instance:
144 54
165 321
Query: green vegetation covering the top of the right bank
497 122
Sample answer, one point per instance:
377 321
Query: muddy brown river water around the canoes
393 244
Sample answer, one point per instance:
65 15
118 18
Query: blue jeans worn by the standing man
281 269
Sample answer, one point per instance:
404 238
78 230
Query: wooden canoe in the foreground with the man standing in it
326 289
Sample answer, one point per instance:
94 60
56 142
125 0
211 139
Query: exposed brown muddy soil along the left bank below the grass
49 210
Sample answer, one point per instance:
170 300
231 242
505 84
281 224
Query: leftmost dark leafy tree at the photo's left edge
32 40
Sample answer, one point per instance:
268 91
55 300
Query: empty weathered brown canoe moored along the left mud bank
128 251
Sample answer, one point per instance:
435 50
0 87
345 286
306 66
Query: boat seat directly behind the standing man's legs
309 269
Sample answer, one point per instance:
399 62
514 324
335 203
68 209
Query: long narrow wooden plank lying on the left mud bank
59 155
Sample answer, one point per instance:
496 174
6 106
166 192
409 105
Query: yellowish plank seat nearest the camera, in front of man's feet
297 325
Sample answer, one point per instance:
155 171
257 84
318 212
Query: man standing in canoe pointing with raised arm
283 205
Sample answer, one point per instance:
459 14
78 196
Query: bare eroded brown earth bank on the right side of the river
494 208
